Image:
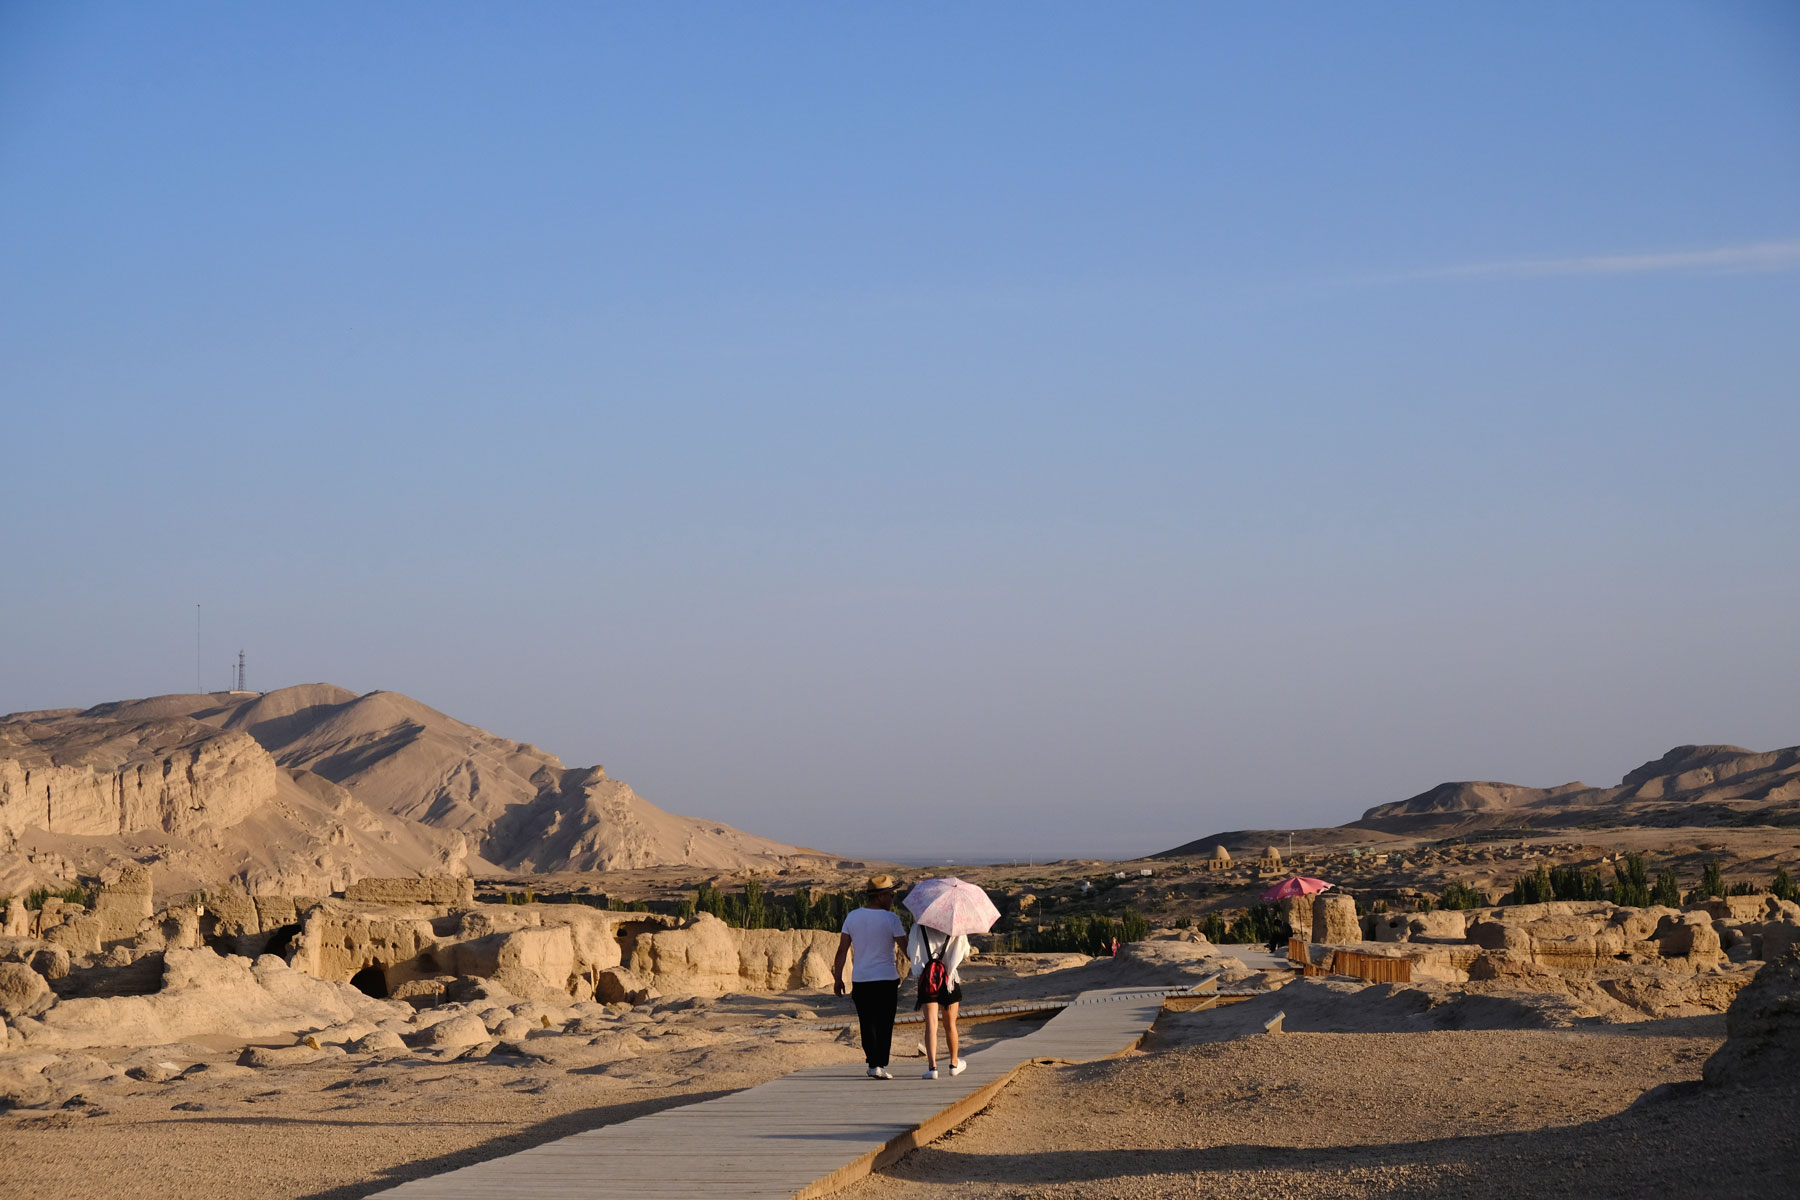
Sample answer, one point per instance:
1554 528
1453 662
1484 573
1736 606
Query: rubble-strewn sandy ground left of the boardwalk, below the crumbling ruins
354 1125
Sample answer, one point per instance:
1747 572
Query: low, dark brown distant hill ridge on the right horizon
1691 785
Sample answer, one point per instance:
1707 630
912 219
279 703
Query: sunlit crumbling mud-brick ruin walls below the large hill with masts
82 974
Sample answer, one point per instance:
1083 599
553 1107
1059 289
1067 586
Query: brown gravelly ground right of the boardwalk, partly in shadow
1482 1115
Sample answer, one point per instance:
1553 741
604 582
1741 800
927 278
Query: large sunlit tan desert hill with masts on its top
305 789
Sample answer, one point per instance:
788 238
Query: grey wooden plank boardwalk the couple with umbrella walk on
800 1136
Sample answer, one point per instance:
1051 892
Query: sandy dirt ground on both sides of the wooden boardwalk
1374 1091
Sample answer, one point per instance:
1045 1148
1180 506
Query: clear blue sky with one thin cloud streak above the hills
967 429
